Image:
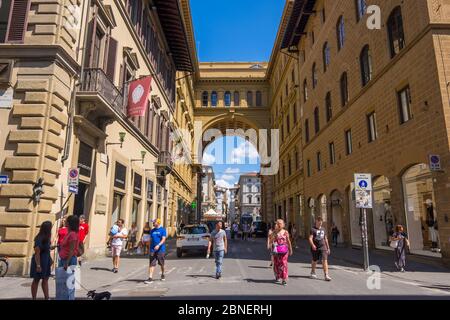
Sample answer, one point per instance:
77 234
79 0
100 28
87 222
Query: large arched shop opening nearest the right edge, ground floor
420 208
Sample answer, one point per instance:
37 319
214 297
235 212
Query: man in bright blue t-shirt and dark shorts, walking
158 237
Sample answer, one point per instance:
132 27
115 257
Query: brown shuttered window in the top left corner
16 20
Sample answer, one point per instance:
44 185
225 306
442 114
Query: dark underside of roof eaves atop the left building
169 14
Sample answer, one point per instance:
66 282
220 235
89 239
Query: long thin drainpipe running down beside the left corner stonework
75 86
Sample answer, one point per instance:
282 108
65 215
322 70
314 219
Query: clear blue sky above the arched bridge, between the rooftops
235 30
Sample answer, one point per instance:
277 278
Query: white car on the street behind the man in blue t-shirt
193 238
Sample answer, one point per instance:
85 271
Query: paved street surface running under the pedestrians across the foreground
248 276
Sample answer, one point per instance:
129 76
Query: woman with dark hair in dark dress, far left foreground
41 262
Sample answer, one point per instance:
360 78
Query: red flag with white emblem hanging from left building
138 96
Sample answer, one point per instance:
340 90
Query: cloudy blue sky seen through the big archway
230 157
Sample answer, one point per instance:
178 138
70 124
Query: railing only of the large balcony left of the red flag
96 81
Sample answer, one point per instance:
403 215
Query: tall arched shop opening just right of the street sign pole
383 219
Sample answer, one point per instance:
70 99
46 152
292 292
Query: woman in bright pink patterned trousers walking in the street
282 249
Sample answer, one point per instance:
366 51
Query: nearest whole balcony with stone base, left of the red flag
96 87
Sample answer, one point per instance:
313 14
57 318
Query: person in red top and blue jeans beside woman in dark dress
68 254
